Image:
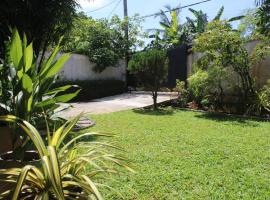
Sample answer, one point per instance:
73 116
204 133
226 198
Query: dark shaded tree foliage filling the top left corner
43 21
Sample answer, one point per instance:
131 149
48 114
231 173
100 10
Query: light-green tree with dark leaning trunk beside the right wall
224 47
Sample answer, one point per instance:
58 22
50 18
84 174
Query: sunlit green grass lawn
189 155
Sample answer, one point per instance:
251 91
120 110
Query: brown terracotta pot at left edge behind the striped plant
5 140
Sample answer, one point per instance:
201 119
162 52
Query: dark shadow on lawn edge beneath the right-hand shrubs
219 117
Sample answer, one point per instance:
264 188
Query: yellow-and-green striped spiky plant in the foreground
62 171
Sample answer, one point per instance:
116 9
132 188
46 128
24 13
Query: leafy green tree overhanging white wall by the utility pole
103 41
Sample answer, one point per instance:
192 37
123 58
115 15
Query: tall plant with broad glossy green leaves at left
26 87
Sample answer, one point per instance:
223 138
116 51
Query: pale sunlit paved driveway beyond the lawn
116 103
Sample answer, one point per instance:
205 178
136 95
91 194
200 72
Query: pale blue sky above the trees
94 8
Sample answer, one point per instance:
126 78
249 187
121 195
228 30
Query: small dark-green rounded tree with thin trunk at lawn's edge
151 68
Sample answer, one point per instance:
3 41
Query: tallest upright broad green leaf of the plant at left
16 48
